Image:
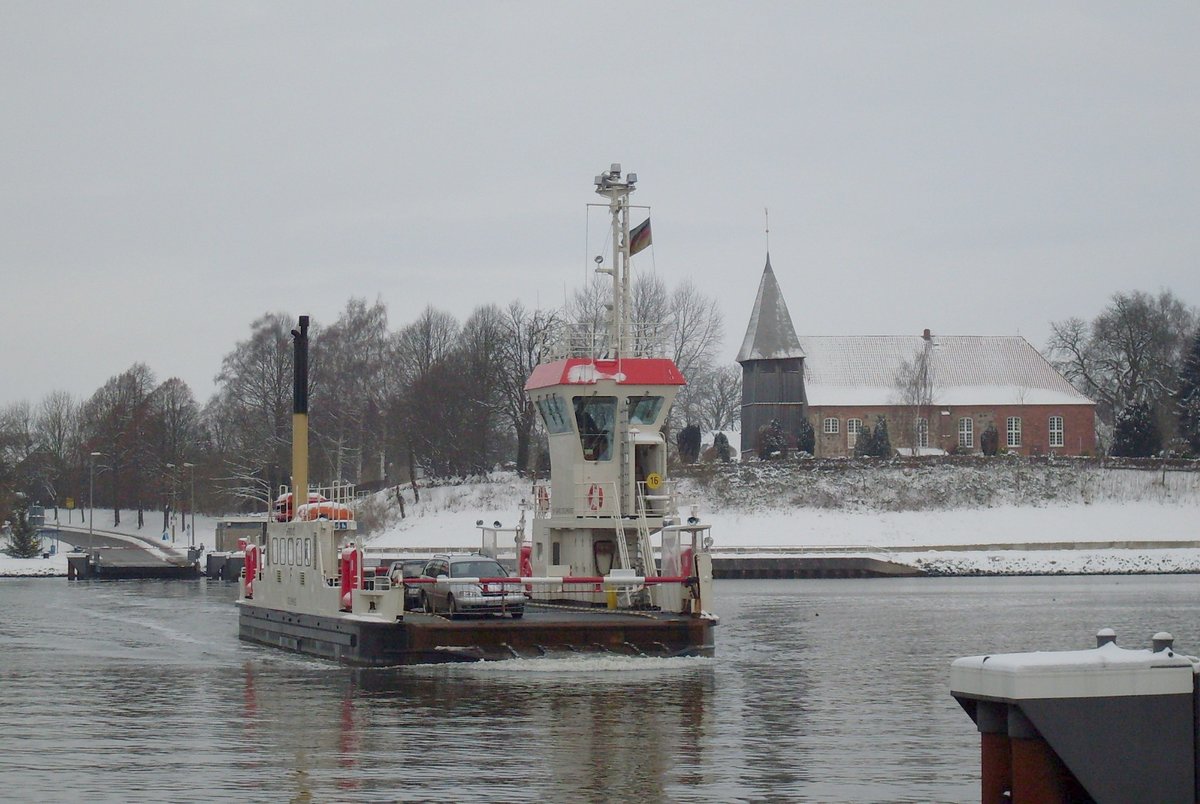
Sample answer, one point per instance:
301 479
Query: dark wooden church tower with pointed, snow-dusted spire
772 367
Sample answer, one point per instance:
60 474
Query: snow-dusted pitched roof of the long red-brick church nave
863 370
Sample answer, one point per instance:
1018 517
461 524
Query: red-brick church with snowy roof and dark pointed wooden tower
938 393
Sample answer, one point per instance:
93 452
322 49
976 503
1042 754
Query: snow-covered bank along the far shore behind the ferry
1106 523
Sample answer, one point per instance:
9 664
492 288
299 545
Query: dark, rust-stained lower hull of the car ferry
427 639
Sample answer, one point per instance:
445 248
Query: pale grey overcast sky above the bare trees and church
171 171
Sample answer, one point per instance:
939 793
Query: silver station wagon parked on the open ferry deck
458 587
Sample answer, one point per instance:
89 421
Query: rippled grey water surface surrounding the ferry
823 691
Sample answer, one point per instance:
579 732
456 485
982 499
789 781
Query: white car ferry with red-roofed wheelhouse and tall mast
611 566
